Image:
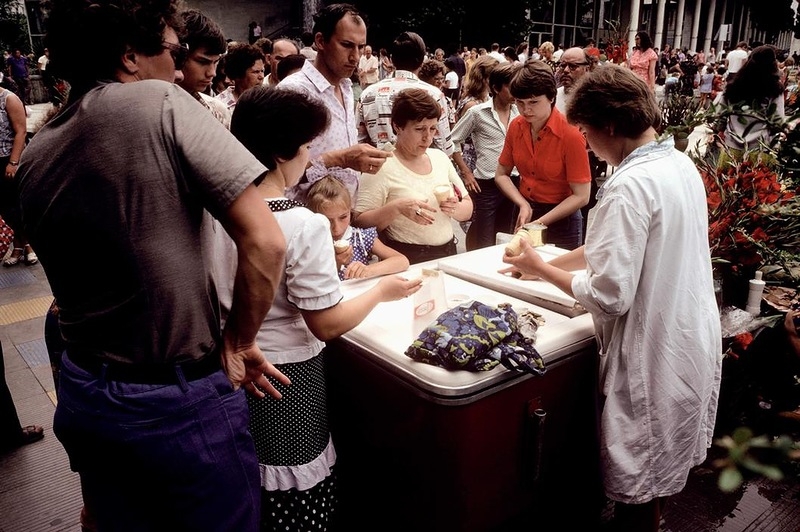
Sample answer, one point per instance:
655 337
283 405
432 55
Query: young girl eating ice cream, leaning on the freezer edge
329 197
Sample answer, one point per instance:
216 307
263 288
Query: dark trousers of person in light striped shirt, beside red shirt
492 212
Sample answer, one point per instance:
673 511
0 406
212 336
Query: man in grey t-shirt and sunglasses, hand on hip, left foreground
151 406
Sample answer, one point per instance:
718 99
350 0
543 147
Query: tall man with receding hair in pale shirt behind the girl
340 34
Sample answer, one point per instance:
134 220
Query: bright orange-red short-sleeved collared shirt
548 167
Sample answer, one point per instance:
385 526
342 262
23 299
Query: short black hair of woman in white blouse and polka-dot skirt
273 123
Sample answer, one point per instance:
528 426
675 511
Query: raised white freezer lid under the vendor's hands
482 266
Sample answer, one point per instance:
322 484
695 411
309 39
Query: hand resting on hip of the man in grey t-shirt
247 366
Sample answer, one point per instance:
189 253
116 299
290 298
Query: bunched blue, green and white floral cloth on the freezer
476 337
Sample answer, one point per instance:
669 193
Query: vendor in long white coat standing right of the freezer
647 282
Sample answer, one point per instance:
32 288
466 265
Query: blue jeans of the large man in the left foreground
160 457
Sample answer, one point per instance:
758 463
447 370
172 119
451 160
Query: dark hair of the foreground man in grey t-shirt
105 28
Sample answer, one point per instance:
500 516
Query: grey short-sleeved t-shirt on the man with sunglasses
113 192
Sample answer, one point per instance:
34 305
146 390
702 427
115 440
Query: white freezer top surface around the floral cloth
388 330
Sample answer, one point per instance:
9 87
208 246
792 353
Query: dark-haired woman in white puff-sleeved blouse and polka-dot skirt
291 434
